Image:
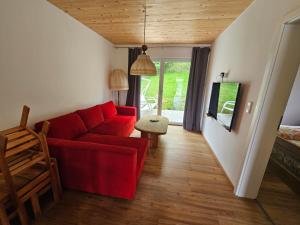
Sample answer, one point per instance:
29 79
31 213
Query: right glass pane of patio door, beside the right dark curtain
176 76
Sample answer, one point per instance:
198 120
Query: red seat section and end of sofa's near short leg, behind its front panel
141 144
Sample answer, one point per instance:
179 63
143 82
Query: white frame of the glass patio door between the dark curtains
162 60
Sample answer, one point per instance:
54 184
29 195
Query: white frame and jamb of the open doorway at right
278 81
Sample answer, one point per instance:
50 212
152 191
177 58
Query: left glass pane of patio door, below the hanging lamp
149 93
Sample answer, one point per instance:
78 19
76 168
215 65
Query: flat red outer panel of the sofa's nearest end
96 168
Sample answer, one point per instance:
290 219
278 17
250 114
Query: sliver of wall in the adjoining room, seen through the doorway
291 115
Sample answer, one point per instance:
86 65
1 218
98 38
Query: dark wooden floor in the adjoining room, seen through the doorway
278 200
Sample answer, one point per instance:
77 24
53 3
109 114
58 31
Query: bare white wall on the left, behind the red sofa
48 61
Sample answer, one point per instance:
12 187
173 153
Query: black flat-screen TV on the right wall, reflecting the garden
223 102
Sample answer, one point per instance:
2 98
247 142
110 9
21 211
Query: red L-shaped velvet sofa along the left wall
94 151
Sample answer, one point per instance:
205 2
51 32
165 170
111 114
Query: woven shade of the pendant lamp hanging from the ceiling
143 66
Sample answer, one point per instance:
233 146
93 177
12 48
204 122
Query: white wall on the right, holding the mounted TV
243 50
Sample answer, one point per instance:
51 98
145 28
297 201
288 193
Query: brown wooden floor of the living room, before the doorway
182 184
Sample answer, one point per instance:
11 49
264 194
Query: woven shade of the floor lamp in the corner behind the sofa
118 80
